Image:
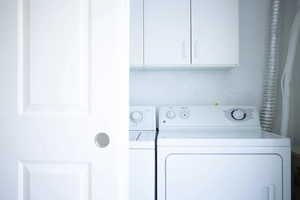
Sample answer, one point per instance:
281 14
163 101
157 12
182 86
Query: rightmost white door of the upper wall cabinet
215 32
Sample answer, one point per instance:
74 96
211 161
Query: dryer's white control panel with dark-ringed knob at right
208 117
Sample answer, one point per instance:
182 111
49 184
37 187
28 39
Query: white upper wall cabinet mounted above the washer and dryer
197 33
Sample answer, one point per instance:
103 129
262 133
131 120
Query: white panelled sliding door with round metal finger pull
63 99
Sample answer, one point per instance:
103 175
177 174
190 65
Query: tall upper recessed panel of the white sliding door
50 35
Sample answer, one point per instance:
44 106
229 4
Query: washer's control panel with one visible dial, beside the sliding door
142 118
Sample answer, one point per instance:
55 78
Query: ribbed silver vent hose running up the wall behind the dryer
269 105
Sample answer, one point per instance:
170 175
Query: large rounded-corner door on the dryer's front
223 176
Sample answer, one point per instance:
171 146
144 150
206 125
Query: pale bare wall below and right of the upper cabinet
242 85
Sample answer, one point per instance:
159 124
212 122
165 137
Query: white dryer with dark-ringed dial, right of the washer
219 152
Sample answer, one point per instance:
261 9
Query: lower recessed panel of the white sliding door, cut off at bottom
58 181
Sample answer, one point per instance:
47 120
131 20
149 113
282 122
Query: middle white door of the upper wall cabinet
166 32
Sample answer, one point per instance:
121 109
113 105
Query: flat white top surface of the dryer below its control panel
215 138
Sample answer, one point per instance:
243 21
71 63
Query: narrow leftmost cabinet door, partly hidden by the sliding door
136 32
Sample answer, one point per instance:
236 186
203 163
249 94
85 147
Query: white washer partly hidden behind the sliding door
142 134
